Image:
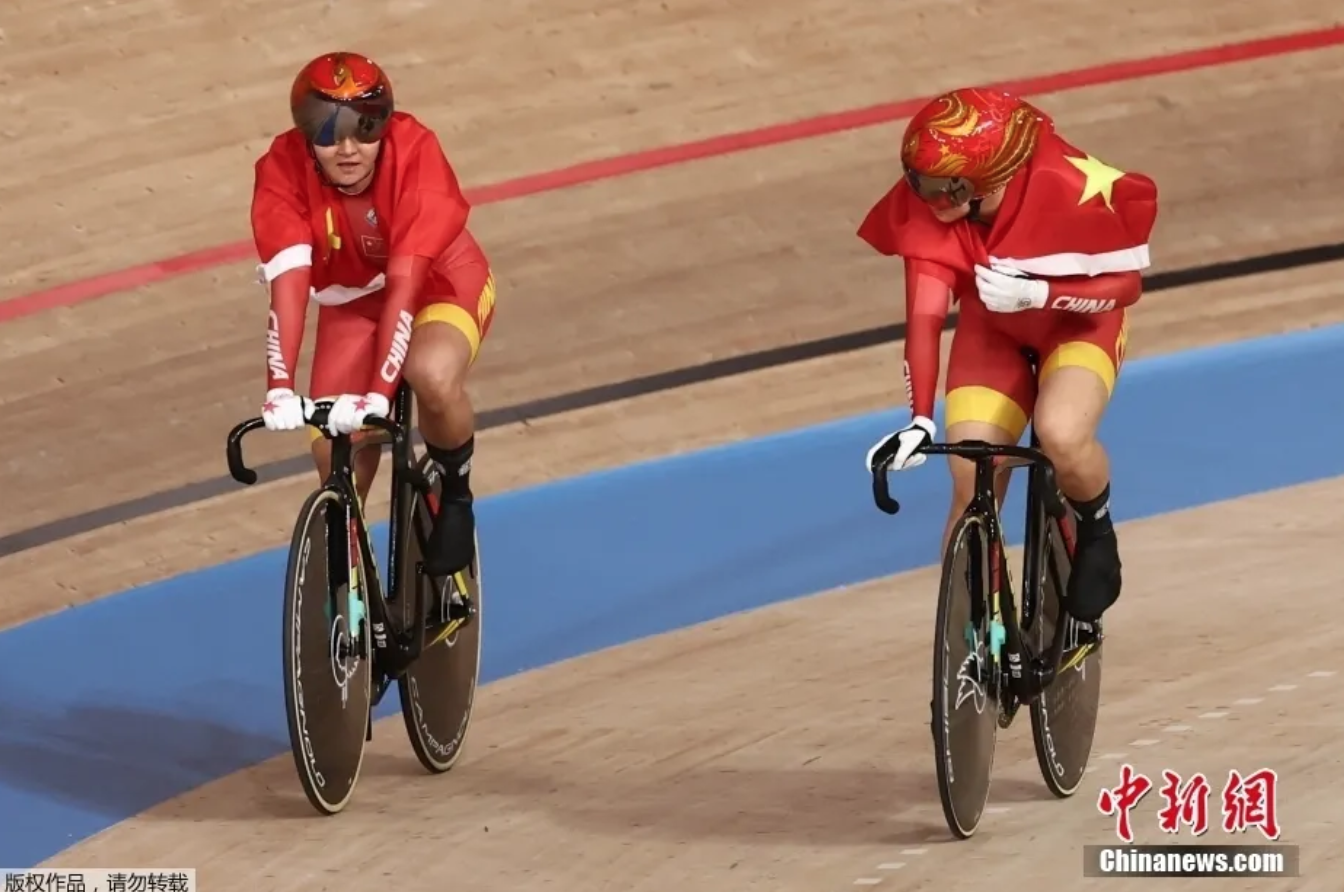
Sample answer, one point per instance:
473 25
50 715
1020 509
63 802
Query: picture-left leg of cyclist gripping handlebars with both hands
342 361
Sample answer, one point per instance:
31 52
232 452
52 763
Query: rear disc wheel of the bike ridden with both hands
439 690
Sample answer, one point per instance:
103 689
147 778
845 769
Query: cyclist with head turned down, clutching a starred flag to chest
1042 245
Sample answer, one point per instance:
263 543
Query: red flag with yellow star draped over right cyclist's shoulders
1065 214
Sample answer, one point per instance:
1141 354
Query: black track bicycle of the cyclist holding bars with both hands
347 639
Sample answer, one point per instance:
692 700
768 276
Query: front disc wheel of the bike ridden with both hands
326 654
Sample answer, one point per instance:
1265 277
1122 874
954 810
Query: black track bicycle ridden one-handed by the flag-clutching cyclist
984 656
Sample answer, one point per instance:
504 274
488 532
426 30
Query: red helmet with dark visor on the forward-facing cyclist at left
341 96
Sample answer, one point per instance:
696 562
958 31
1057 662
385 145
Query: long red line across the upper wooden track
106 284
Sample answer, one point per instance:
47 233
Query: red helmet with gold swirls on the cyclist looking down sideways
968 144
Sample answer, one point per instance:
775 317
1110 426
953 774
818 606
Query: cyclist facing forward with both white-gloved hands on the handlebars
358 209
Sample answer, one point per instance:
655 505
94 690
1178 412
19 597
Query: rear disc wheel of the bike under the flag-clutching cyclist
1064 718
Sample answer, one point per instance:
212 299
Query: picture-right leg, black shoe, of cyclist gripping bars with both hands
447 338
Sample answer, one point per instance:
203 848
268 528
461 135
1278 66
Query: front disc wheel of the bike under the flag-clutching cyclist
966 722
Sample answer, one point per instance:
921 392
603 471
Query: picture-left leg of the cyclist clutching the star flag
990 398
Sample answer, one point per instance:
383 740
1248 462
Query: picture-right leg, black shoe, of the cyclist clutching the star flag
1077 381
